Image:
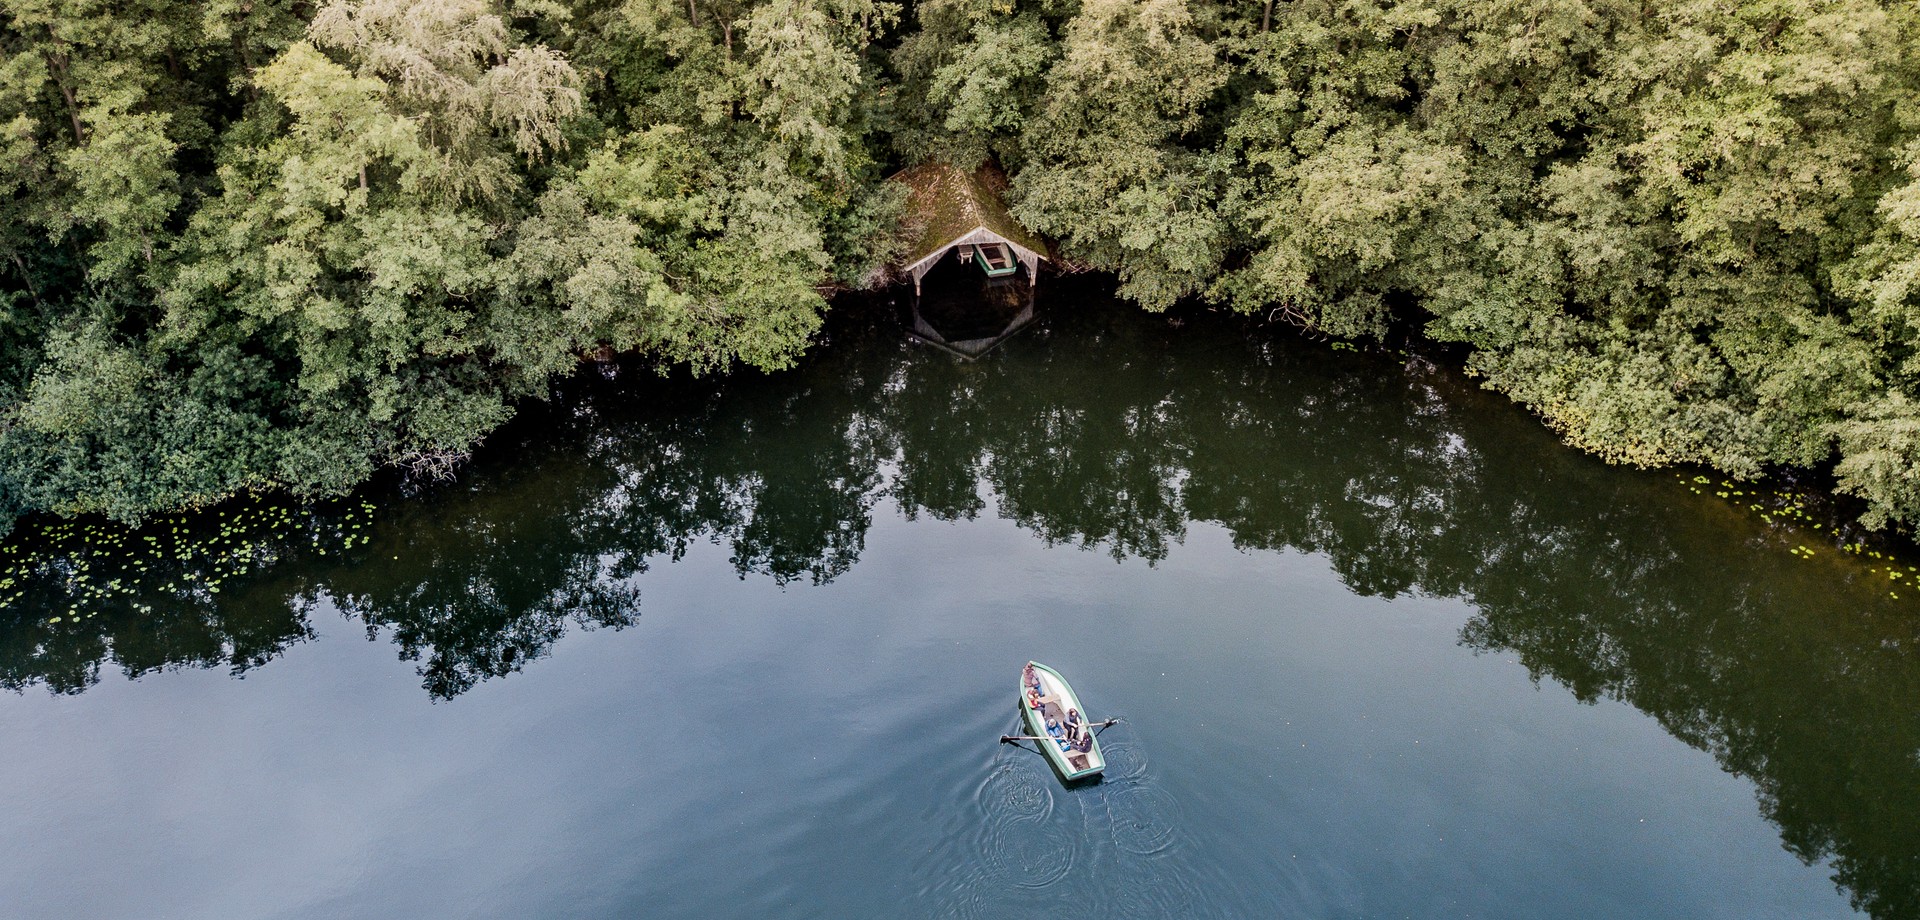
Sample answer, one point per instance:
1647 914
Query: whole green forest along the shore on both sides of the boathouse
266 245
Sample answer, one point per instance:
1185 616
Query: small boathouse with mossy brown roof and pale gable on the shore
953 210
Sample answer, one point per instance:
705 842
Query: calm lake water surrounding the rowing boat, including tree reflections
744 648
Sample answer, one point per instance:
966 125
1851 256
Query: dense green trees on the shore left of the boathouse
245 251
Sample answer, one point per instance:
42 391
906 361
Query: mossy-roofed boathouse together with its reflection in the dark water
974 268
